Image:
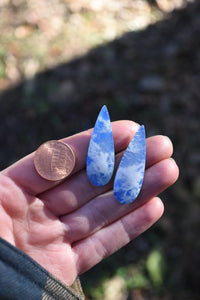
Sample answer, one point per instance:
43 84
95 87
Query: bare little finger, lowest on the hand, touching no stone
98 246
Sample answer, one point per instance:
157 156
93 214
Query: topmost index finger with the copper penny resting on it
24 174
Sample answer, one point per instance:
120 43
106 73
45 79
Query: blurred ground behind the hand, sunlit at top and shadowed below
60 61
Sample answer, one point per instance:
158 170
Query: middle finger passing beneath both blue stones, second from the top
66 197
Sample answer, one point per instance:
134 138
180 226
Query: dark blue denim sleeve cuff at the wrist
21 278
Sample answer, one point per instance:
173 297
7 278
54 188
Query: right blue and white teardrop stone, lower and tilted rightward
130 173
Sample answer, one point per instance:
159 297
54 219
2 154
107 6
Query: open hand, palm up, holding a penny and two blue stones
68 226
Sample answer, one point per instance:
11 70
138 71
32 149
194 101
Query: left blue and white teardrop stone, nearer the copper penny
101 154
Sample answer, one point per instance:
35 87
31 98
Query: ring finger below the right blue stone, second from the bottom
105 209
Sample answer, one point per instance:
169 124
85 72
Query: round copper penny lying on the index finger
54 160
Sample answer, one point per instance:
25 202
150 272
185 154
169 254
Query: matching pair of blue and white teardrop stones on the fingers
101 158
